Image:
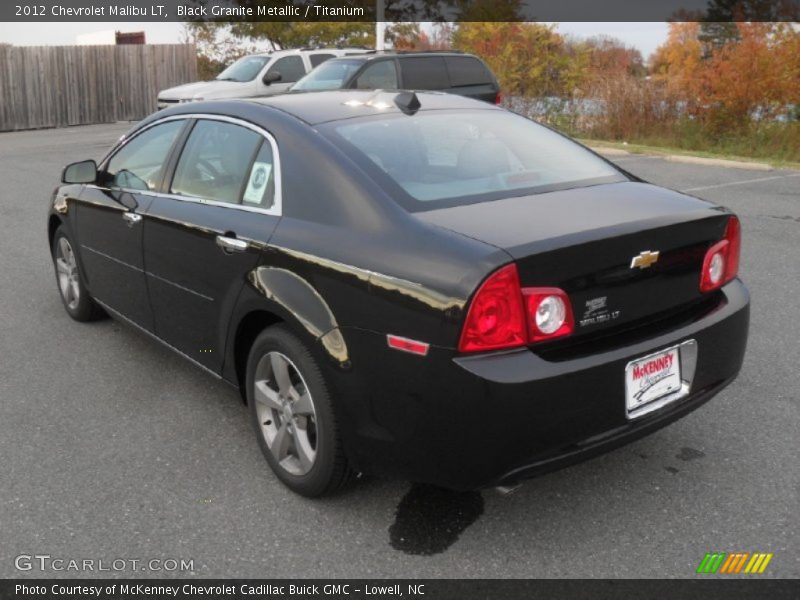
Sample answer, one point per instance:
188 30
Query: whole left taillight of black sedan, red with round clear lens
503 314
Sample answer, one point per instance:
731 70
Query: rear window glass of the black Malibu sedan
459 157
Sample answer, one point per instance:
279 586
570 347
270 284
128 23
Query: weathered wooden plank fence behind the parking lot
55 86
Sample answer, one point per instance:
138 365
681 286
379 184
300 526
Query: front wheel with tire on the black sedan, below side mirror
74 295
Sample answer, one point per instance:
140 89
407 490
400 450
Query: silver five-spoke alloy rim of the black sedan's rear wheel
286 413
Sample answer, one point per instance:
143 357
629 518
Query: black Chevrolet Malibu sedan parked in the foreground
407 284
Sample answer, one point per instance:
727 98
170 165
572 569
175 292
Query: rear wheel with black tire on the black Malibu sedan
292 414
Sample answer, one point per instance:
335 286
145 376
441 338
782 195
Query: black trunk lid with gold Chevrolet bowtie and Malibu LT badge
584 241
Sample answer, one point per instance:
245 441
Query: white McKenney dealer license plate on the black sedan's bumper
652 377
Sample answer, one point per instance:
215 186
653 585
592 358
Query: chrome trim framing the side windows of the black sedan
276 210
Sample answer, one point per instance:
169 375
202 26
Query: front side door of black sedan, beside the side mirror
109 220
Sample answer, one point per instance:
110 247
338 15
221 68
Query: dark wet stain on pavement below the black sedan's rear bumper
430 519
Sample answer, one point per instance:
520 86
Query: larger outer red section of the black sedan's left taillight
495 318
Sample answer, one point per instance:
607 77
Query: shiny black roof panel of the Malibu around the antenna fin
334 105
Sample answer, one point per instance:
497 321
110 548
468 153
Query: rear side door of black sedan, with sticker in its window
206 232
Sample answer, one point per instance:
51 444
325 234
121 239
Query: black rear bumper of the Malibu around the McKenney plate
467 422
